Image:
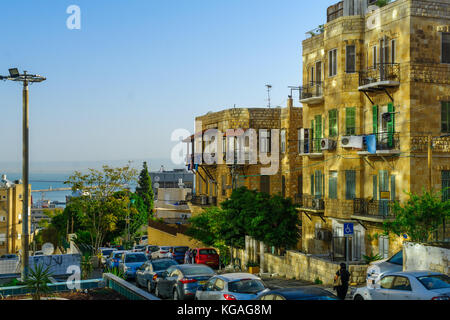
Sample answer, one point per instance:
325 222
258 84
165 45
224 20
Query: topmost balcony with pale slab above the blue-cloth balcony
379 77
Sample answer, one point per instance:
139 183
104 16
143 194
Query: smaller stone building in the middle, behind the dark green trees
215 181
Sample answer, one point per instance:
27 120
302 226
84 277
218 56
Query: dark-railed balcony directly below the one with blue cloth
372 210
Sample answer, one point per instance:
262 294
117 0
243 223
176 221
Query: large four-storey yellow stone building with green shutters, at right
376 85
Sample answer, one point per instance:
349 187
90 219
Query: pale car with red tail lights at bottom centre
232 286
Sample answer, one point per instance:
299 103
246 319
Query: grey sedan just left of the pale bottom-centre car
180 282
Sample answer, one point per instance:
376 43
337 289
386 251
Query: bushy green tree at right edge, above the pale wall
419 217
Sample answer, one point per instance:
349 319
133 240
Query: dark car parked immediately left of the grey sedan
147 274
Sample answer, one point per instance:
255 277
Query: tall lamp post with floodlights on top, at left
25 78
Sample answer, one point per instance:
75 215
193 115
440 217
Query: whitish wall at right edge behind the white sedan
422 257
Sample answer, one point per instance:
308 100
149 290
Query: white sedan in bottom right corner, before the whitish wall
407 285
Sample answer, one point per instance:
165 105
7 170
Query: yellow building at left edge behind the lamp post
11 213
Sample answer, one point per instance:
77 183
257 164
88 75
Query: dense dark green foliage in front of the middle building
271 219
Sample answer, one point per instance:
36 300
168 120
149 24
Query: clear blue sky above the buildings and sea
138 69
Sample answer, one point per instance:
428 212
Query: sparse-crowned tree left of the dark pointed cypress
99 205
